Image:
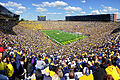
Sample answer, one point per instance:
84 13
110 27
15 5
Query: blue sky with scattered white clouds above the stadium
58 9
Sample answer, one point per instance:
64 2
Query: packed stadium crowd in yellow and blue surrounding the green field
29 55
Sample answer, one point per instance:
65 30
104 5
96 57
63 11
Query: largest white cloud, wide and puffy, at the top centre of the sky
52 4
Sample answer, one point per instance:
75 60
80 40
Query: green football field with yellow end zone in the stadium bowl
61 37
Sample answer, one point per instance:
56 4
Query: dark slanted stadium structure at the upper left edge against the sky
6 15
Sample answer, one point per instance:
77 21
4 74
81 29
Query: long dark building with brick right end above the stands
100 17
